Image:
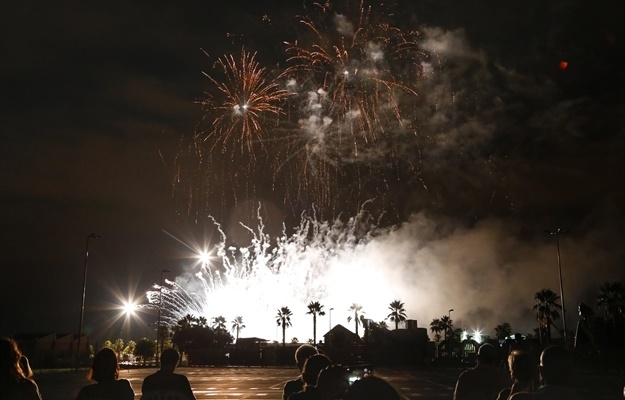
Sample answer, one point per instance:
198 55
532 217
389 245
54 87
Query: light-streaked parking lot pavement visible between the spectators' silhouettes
267 383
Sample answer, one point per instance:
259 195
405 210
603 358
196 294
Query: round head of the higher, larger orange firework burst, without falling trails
361 71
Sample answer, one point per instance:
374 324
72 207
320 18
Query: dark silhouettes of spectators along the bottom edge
526 373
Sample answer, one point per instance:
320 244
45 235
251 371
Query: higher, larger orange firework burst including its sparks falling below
356 78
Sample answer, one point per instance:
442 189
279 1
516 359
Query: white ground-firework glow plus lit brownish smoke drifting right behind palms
486 273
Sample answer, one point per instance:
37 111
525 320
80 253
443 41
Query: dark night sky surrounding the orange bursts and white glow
97 99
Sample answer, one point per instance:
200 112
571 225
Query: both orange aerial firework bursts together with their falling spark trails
340 118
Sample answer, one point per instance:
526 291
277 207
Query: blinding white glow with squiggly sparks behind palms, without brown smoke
254 281
